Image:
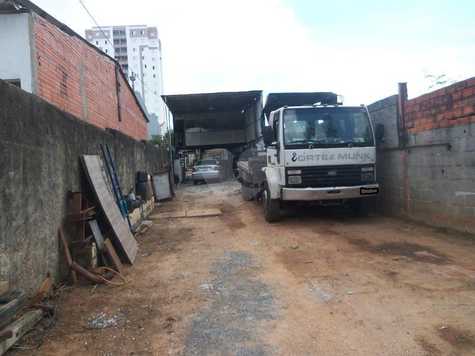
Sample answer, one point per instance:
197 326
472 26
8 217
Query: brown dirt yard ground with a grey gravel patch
317 283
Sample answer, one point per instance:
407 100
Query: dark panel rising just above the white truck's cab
278 100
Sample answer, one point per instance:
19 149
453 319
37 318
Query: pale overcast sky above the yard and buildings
358 49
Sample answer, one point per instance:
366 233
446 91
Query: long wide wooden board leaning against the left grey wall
124 241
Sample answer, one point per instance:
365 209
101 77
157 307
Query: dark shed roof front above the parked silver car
211 102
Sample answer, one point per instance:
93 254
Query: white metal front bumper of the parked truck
330 193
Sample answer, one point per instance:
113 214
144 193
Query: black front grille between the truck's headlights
330 176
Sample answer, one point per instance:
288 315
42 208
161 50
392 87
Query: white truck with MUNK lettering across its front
323 152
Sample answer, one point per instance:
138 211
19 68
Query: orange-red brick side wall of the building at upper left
78 79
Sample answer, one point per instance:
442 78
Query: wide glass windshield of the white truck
327 127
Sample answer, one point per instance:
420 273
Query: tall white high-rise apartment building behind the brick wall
138 50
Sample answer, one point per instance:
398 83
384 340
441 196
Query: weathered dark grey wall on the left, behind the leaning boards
40 148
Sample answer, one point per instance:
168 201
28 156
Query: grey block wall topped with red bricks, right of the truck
430 178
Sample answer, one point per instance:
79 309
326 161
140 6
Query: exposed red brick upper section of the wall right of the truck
450 106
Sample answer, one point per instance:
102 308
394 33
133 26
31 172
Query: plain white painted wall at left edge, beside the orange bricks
15 50
